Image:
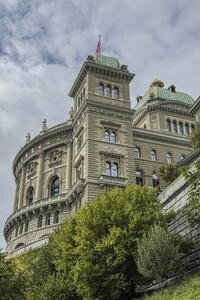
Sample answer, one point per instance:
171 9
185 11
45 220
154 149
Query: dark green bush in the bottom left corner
12 280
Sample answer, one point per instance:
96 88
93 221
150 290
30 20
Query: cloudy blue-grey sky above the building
43 44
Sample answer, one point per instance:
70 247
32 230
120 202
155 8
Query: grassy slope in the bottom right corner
188 289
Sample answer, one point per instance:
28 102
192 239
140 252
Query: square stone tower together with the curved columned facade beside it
62 168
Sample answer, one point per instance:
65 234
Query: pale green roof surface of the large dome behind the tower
157 92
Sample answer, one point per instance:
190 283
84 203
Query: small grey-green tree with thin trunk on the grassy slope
158 256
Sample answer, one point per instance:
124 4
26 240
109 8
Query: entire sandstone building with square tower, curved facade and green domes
104 144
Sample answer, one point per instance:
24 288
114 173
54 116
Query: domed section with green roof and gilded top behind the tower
162 109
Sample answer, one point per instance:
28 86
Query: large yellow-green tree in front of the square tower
95 249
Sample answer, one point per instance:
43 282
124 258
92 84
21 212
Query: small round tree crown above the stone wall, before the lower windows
168 172
